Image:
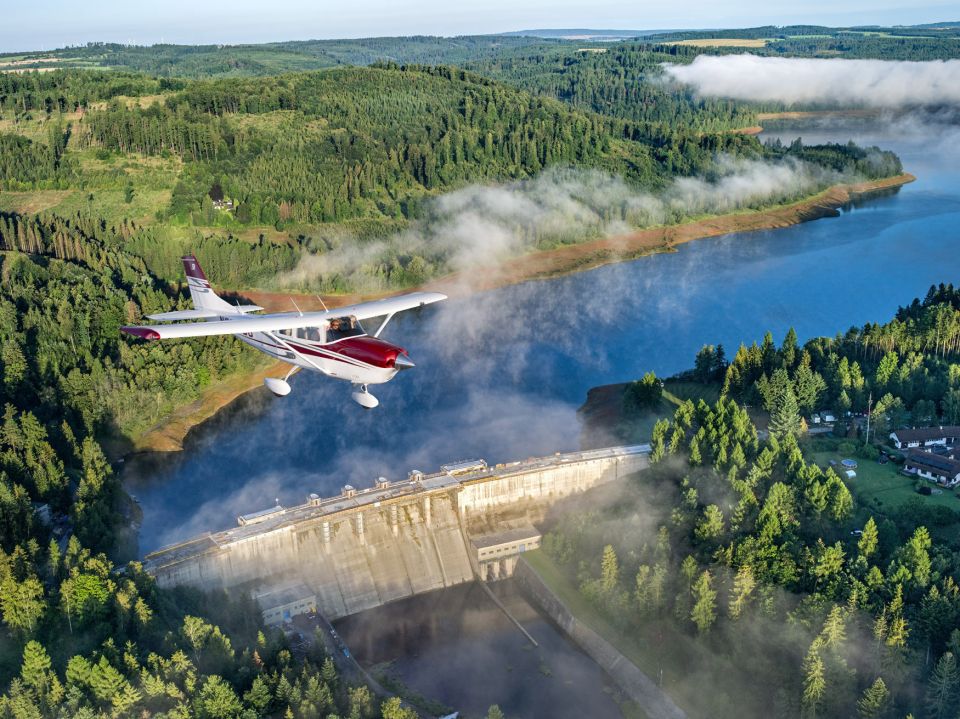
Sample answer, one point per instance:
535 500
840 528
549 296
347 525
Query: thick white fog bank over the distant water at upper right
801 81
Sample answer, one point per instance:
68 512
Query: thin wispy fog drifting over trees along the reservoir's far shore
481 226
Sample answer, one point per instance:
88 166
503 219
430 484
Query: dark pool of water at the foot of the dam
458 647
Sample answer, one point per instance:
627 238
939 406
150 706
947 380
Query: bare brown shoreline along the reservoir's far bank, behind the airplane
170 435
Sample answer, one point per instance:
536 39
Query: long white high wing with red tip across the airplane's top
284 321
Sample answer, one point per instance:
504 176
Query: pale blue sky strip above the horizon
47 24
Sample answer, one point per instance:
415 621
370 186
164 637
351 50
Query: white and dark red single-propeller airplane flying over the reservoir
332 342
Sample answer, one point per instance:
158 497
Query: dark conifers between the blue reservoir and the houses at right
908 366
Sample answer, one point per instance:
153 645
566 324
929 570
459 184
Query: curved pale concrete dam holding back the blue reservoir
363 548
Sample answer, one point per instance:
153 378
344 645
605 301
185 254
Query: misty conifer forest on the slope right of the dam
738 564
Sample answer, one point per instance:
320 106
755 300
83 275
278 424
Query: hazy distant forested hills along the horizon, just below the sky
922 42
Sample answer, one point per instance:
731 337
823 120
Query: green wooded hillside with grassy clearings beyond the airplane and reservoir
308 162
